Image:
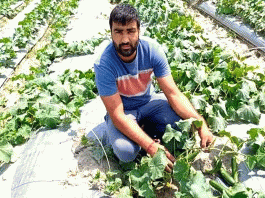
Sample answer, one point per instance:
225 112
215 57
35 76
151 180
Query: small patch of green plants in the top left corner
6 7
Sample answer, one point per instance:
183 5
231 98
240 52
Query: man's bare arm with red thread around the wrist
130 128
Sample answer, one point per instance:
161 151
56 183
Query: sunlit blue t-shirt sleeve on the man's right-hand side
159 61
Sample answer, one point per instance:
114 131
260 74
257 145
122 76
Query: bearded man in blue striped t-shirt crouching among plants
124 80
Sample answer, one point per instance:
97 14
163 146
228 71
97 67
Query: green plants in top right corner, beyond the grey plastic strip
251 11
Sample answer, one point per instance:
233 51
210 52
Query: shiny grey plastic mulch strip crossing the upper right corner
234 24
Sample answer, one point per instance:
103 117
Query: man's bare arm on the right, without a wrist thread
182 106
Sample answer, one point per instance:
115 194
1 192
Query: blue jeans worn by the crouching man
153 116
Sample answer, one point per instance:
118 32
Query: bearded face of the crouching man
125 39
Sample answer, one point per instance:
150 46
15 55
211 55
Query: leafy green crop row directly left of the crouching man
45 102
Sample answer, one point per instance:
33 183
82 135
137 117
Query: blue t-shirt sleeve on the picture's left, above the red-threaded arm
105 79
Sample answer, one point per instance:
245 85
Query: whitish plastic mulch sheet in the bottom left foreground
43 168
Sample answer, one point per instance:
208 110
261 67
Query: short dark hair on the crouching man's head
124 13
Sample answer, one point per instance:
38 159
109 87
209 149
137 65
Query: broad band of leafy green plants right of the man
220 85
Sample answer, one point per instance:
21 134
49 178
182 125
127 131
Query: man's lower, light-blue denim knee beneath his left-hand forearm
126 151
